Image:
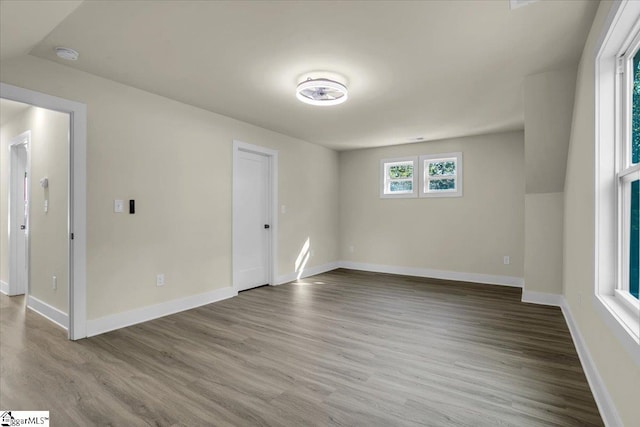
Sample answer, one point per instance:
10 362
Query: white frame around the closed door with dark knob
272 198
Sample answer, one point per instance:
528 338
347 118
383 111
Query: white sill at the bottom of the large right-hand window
624 320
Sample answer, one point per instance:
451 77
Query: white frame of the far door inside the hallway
22 140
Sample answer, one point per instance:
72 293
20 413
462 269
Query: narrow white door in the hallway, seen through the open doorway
19 217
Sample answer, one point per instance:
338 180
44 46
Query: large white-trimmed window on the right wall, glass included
617 188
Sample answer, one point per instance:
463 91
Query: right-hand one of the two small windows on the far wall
441 175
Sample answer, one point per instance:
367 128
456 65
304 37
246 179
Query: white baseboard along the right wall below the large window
600 394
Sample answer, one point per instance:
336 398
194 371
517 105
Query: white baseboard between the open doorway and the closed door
144 314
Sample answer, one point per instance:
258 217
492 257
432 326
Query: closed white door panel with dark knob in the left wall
252 220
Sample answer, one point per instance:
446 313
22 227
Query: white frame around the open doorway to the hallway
77 217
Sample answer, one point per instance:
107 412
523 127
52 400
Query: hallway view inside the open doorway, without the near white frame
37 255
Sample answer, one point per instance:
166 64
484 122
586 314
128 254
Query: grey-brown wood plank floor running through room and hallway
341 348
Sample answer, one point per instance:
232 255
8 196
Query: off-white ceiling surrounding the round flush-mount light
434 69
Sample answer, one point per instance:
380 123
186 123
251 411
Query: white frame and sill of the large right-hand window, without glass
617 307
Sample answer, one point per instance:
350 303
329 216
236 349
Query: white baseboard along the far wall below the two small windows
517 282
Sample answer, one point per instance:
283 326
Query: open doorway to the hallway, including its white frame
51 133
